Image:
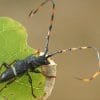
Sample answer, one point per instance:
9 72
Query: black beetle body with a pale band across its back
22 66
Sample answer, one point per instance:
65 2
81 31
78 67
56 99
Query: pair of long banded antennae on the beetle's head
64 50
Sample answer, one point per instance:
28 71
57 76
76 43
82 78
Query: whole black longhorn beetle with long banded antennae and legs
30 63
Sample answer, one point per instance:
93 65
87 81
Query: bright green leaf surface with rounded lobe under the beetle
13 46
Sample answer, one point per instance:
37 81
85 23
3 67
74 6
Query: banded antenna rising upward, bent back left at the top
51 23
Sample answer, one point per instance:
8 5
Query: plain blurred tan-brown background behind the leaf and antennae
77 23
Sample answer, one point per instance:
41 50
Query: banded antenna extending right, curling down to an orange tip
97 73
